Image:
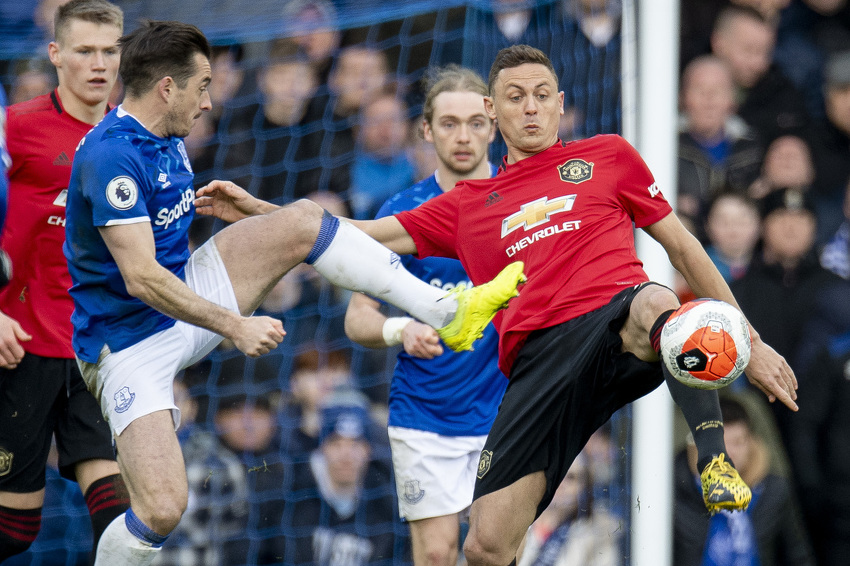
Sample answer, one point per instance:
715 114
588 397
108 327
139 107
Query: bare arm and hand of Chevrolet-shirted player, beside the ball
767 370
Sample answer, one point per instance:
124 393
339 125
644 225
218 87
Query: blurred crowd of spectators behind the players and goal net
289 451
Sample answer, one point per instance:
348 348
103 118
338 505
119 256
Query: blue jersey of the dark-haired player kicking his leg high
123 174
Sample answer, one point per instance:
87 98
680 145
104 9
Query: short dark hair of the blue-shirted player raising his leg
160 49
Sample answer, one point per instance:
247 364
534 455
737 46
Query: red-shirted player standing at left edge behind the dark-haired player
41 390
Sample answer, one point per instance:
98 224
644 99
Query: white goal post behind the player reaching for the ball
650 72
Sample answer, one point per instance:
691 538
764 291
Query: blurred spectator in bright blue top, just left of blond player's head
381 166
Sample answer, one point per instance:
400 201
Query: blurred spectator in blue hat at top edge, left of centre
313 25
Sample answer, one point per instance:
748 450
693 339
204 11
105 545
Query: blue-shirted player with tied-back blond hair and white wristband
441 403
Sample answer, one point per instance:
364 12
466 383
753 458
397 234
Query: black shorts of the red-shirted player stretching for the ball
566 382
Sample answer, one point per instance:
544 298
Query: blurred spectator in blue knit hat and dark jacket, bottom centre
337 507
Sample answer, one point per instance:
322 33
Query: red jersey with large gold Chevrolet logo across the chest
568 212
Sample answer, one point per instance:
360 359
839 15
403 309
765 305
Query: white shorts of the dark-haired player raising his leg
138 380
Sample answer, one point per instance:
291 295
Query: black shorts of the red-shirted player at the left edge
40 397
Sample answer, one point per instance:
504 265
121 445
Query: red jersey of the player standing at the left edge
42 138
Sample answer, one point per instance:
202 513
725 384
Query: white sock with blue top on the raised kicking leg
348 258
